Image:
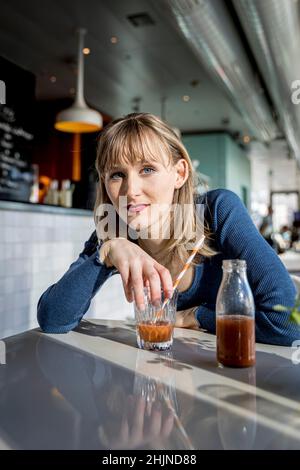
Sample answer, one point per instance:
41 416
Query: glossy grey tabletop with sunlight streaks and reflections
93 389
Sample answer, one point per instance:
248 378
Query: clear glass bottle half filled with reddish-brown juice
235 322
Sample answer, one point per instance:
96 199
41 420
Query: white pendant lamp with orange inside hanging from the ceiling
79 118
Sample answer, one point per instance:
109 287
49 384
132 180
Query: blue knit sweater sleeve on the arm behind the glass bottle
237 237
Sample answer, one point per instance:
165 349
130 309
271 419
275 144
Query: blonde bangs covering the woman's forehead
140 145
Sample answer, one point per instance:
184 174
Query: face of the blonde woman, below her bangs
142 193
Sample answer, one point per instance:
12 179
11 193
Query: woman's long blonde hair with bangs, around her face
140 137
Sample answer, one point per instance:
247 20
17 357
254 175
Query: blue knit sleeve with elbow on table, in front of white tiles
62 305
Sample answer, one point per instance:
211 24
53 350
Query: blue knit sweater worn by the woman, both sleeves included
63 304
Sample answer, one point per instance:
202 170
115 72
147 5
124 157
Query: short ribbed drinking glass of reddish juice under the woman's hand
154 325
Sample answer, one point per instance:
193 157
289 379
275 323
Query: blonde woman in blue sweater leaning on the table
147 179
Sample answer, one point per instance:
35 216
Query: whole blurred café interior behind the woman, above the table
224 74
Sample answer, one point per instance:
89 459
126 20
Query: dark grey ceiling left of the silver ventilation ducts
148 62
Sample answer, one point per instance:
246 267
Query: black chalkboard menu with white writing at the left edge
16 134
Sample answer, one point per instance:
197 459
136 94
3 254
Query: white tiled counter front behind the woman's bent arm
35 250
